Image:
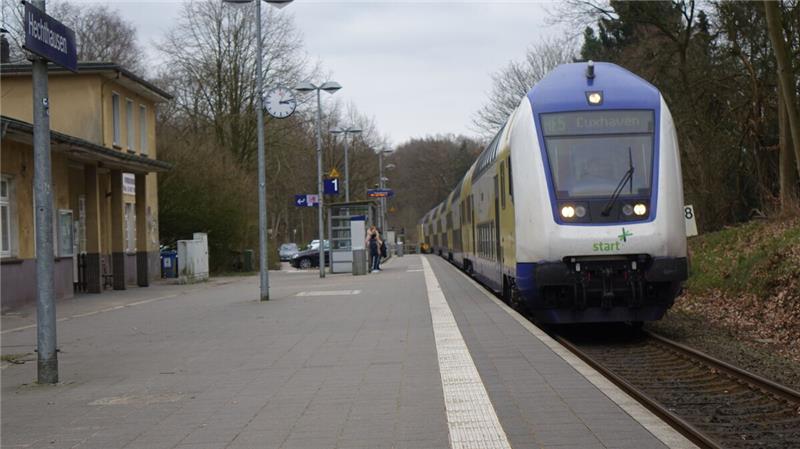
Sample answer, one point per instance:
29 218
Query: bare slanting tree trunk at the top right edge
785 75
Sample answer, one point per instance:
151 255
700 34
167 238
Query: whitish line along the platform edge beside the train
637 411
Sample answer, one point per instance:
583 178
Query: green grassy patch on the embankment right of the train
754 257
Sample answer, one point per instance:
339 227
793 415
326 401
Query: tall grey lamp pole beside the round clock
262 176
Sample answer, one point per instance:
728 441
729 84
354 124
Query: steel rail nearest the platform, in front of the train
681 425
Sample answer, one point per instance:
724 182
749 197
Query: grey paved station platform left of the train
416 356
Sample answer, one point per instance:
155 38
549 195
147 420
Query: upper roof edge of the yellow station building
125 76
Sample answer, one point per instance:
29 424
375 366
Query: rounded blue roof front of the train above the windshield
567 86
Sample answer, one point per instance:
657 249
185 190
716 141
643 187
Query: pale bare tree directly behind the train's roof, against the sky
515 80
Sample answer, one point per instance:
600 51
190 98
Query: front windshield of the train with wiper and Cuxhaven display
591 152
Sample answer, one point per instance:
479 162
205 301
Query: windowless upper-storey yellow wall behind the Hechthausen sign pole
74 108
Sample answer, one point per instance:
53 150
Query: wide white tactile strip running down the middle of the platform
471 418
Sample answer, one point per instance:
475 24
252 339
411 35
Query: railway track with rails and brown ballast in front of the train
714 404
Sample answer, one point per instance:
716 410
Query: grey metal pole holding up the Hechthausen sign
46 345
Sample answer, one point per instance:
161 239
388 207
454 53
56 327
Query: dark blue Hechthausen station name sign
49 38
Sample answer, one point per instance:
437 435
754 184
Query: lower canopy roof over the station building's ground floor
83 149
